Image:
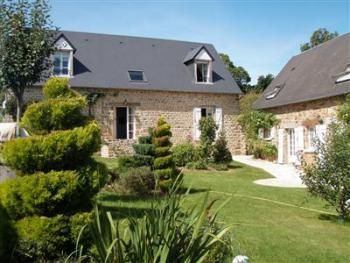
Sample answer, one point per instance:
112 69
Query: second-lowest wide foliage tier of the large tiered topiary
51 193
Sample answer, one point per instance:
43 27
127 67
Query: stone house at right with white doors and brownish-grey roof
304 97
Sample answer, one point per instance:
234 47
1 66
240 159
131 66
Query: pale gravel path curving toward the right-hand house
285 175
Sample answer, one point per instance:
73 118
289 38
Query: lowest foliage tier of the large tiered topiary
42 238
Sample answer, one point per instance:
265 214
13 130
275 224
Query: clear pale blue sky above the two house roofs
260 35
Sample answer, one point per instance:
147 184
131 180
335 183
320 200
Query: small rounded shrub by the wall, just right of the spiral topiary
184 153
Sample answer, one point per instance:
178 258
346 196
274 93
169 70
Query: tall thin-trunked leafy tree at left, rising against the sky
26 43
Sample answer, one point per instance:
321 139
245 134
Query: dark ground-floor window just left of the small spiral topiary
125 123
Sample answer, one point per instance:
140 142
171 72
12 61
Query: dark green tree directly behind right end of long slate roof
240 75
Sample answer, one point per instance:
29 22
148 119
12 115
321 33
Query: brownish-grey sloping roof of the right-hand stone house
311 75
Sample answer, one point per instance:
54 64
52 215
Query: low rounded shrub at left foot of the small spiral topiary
139 181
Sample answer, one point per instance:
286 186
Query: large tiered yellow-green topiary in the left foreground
50 198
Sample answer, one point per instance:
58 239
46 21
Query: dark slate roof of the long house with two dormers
103 61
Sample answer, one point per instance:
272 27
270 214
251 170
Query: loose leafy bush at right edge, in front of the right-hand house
329 176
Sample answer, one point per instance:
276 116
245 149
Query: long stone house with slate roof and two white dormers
136 80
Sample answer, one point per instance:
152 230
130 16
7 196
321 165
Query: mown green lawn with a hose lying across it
270 224
